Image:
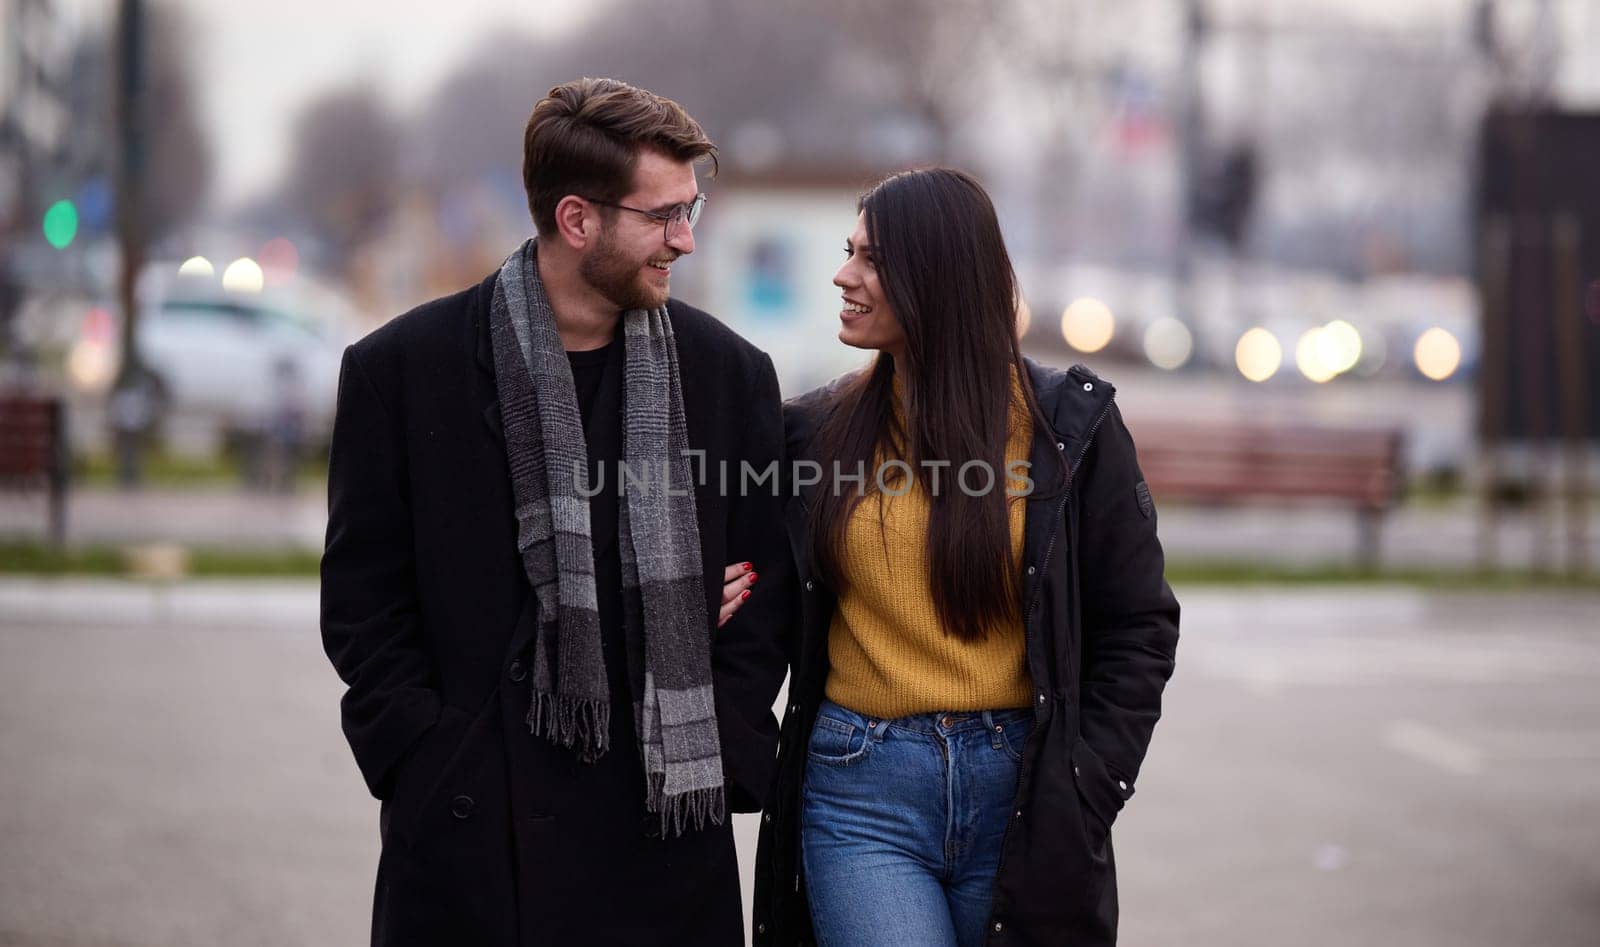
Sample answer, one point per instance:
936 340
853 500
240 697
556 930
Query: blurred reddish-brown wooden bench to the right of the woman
1231 463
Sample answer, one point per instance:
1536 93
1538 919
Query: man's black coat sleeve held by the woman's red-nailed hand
750 655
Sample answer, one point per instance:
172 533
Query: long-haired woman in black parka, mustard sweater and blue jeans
986 629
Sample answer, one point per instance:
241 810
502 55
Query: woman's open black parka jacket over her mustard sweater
1102 628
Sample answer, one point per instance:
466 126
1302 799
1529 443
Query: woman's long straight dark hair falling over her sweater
946 274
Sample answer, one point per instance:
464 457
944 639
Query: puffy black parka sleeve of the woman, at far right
1129 612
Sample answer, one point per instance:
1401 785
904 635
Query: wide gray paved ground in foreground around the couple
1351 767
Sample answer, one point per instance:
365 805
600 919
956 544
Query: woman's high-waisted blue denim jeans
902 823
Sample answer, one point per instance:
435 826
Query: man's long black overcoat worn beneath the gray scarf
494 836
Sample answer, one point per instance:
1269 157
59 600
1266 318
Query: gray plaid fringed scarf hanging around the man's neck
663 583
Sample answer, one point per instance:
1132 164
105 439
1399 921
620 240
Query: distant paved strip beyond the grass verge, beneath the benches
1414 537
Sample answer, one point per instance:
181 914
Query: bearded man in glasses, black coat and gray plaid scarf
559 711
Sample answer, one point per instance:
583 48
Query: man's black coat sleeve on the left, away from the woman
370 625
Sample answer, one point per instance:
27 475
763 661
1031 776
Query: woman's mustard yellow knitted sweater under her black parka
890 653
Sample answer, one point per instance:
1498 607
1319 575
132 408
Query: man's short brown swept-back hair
586 135
